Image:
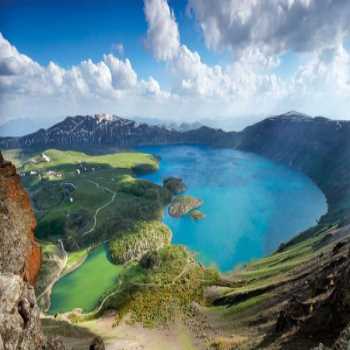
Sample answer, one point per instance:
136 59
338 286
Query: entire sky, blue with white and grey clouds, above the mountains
179 60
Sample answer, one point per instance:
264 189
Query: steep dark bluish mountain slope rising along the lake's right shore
318 147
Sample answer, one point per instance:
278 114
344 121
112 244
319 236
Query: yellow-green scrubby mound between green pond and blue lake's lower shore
157 295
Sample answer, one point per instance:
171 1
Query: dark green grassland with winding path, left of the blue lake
66 207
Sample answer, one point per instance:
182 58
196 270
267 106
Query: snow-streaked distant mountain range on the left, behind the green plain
102 130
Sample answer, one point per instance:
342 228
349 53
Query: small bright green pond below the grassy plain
83 287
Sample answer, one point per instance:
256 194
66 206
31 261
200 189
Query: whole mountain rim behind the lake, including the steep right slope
318 146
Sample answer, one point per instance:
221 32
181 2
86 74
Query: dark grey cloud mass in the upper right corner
272 25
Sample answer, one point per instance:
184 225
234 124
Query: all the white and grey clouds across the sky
247 85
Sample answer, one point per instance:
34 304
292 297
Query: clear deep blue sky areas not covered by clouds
67 31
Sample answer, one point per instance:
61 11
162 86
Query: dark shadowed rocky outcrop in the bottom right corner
320 308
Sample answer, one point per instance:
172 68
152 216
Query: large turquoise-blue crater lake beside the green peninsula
251 204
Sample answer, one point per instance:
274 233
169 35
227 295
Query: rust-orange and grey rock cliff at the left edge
20 327
